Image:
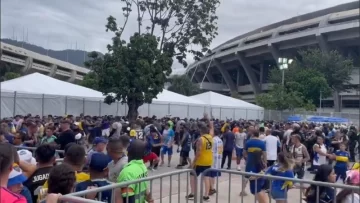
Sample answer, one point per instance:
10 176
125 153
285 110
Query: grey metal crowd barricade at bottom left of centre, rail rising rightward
157 184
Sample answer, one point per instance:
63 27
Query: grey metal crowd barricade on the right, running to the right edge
229 190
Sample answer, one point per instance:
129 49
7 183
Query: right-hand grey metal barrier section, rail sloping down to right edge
354 189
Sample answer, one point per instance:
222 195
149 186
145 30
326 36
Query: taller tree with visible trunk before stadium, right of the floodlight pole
336 69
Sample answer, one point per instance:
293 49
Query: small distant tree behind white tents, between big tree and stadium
182 84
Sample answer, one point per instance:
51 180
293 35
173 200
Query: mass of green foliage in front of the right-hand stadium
313 73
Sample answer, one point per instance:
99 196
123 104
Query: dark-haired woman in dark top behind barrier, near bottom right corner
325 173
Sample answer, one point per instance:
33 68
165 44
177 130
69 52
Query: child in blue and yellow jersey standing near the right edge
342 160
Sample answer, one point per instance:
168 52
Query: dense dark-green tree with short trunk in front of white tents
133 72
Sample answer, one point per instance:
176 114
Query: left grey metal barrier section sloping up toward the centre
75 197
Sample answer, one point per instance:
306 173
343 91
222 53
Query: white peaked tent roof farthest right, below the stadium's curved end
216 99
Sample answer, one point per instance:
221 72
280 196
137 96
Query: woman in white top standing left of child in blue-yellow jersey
320 153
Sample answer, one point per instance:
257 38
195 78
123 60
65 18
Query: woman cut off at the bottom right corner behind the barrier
348 195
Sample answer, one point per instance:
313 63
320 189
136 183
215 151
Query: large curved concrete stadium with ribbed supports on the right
242 64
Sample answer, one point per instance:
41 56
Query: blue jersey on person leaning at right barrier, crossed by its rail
280 185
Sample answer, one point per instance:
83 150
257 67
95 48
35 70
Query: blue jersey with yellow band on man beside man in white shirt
253 147
